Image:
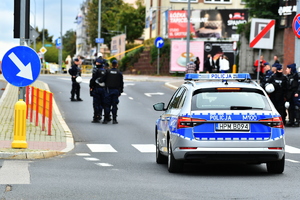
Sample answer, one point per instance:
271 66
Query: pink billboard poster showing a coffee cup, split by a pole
178 54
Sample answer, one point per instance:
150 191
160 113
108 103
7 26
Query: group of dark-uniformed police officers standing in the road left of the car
106 85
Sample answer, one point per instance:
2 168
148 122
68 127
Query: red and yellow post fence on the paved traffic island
39 101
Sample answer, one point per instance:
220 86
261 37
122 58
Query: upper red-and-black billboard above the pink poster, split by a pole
207 23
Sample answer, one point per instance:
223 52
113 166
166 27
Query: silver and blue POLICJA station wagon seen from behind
219 117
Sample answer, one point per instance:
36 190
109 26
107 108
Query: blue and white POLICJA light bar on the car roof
221 76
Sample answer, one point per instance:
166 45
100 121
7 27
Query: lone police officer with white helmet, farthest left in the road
75 71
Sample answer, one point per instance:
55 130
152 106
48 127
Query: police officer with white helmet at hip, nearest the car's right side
279 80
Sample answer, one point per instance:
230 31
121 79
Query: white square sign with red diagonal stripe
262 33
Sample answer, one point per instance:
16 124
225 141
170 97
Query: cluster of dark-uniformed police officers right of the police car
283 90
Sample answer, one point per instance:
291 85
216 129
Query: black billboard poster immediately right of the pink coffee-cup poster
216 49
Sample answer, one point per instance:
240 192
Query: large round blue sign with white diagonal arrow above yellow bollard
21 66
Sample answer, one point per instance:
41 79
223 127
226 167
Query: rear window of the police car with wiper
229 100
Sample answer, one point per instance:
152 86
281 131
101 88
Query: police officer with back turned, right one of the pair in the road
114 87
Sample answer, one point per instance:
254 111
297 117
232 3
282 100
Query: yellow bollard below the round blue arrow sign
20 126
